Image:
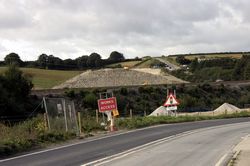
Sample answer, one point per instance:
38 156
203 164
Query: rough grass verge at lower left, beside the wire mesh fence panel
27 135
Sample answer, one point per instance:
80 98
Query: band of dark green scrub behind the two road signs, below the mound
203 97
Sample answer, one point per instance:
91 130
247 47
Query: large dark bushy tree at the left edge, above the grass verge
14 92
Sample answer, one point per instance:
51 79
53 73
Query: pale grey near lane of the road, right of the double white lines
202 148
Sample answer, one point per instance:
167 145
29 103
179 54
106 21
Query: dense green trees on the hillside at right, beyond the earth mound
226 69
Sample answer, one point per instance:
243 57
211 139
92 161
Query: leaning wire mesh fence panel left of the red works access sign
61 114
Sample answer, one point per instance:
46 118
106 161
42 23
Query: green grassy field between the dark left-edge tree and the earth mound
45 79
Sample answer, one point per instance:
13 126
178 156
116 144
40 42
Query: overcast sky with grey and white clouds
71 28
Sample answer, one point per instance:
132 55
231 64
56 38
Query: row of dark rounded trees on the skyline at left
94 60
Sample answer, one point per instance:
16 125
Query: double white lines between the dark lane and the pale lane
153 143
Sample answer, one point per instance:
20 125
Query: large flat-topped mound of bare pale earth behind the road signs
116 78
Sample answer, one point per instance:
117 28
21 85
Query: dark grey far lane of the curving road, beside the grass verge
90 150
